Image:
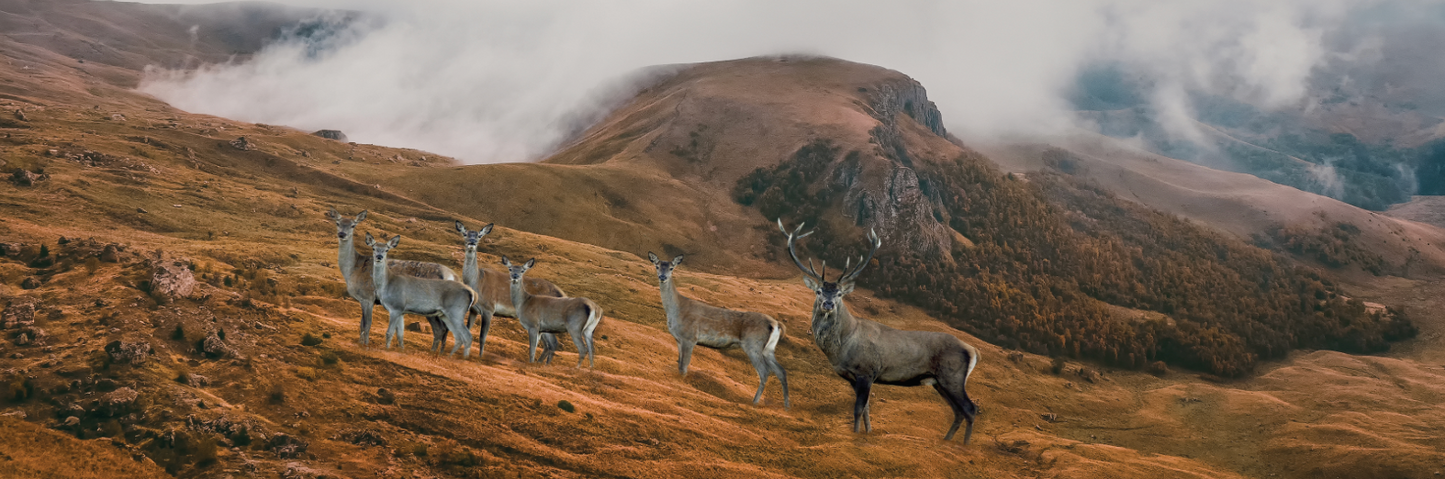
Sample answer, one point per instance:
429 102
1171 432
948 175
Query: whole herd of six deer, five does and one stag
860 351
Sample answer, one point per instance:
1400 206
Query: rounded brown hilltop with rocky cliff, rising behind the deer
717 125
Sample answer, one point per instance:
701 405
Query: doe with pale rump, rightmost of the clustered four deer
547 315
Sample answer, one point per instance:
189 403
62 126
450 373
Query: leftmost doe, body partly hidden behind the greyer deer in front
356 268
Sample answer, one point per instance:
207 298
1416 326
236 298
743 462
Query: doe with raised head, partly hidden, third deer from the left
495 293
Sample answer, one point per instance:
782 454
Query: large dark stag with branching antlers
865 352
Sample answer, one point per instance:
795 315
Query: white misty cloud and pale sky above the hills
506 82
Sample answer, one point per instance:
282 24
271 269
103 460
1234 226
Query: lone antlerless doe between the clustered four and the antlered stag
693 322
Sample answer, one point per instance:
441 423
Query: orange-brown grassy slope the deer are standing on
142 177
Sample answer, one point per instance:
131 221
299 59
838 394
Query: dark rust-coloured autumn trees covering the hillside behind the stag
1051 253
